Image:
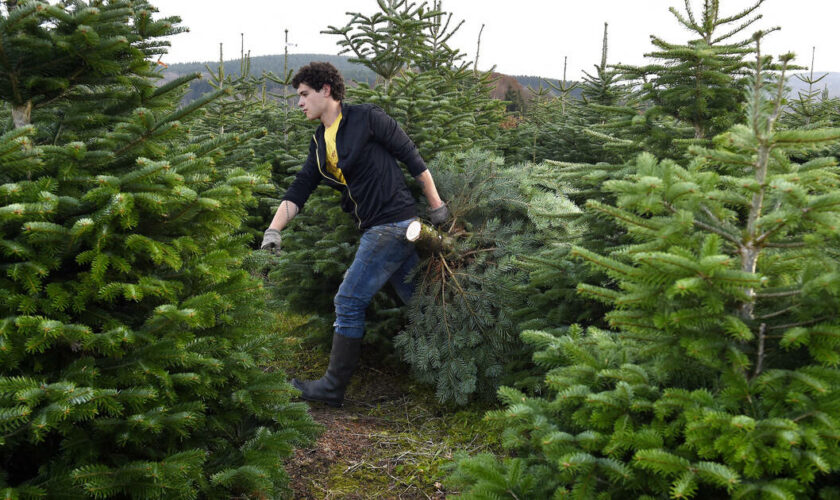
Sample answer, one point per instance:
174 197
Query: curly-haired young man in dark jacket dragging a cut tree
355 150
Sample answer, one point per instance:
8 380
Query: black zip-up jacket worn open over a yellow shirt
368 142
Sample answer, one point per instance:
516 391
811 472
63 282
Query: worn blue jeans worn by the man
384 255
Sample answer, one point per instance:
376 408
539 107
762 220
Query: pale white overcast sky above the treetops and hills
522 37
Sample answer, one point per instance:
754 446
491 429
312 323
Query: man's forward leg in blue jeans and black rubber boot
382 251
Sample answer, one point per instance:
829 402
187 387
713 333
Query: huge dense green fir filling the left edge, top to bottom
133 345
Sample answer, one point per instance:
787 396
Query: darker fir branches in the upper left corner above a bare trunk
85 49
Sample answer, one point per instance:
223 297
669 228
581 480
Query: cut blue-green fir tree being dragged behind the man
461 335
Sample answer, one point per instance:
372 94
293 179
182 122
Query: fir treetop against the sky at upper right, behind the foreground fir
691 91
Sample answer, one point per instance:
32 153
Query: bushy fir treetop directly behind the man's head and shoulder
425 85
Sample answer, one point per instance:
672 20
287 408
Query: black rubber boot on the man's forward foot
330 388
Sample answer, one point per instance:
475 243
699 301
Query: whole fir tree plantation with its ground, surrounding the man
638 293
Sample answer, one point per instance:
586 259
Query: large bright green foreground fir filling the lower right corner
720 375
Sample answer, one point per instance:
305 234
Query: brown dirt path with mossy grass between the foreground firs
391 440
